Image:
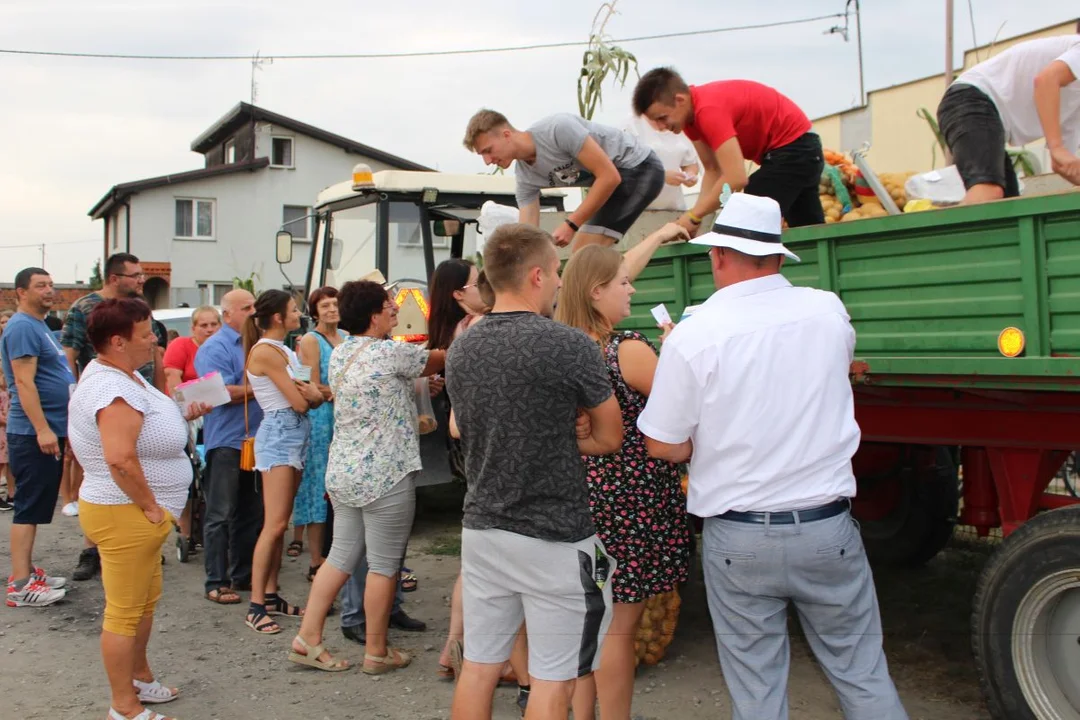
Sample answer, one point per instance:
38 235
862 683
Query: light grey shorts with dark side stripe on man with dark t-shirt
561 591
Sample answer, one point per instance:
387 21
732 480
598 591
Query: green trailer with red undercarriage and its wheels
939 300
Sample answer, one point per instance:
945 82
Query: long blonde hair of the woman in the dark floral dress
592 267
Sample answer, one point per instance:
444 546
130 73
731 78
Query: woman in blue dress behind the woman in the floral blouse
309 509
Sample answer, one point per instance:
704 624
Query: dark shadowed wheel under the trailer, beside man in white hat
923 495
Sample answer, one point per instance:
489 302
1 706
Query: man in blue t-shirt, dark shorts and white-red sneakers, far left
40 384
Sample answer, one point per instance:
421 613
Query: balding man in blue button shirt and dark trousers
234 507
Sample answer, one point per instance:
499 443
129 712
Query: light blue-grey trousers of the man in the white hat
754 572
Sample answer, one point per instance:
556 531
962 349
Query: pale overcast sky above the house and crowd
73 128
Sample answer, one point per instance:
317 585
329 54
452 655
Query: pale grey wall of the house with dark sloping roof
248 214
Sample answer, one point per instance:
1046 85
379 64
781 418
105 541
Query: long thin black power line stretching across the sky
433 53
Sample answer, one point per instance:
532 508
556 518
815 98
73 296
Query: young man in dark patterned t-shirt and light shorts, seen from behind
518 384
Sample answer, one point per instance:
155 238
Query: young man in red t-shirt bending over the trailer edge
733 121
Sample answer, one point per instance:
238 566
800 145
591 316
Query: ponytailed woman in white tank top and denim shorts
276 377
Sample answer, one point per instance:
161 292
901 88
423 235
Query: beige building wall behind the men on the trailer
902 141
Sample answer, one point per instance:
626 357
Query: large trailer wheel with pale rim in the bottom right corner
1027 621
